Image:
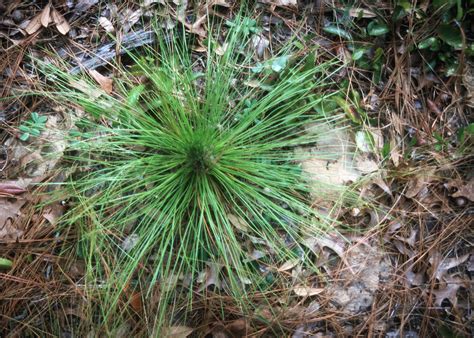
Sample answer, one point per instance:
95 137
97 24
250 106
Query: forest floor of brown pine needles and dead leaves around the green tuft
409 89
